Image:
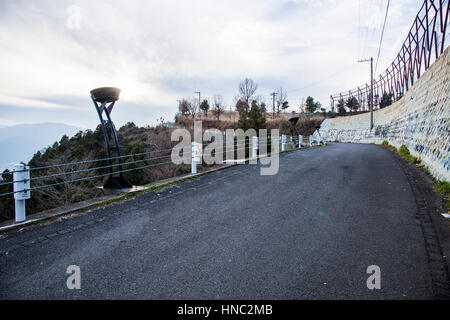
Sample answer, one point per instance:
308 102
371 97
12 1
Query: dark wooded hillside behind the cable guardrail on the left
89 145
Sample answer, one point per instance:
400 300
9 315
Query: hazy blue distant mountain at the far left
20 142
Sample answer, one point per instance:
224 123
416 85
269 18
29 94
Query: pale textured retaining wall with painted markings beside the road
420 120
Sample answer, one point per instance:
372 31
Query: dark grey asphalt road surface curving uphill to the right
309 232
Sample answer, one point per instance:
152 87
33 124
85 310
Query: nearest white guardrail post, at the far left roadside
21 177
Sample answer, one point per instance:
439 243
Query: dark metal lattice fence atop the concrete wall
425 42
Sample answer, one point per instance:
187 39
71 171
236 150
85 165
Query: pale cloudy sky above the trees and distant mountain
52 53
